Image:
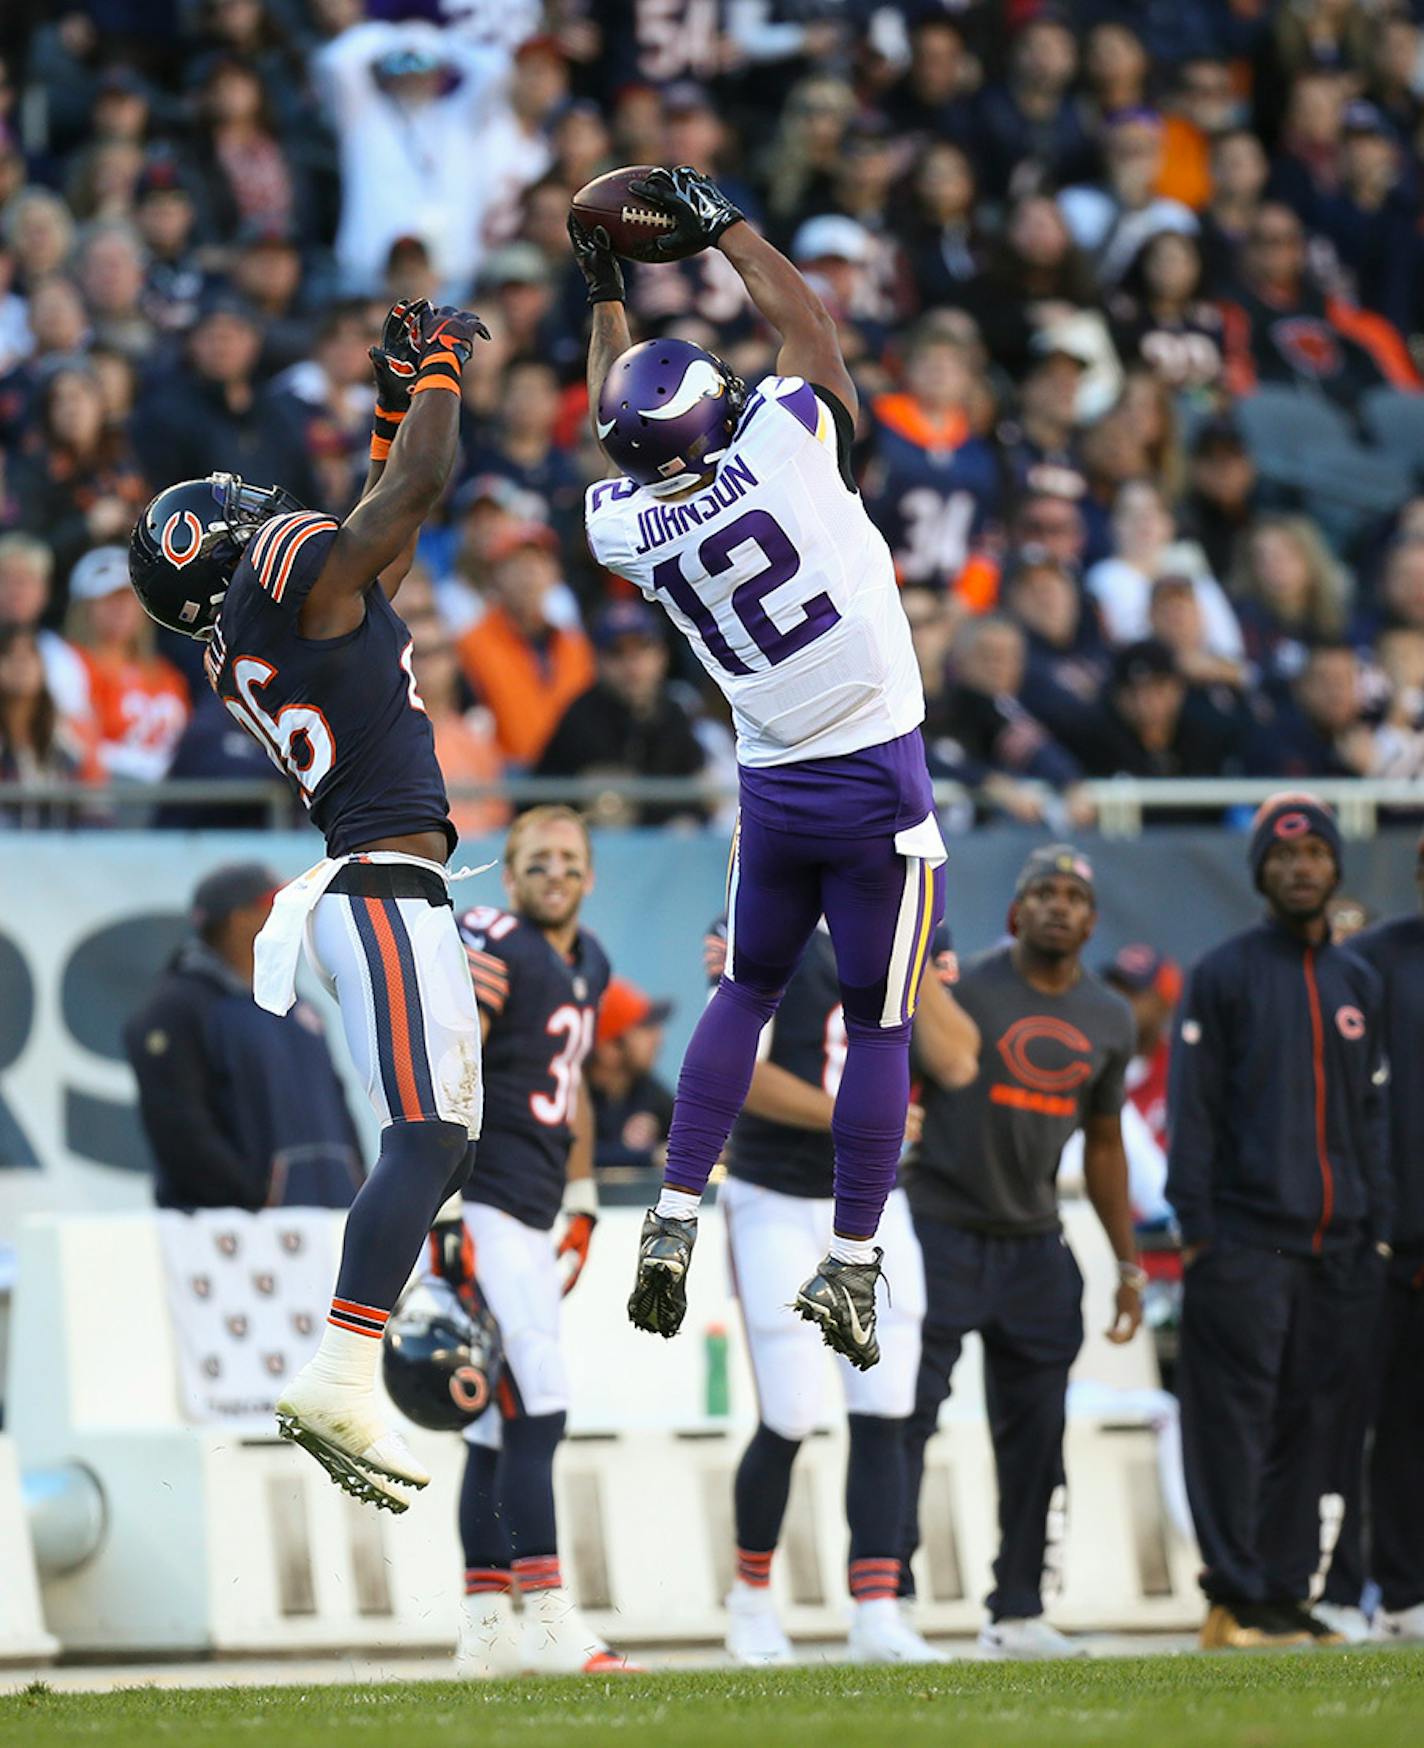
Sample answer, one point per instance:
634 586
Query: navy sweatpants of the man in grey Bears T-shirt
1025 1296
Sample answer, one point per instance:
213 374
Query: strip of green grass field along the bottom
1348 1700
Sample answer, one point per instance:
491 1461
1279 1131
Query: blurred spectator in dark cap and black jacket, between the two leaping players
628 725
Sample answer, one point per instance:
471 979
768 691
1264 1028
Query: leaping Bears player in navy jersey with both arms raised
308 653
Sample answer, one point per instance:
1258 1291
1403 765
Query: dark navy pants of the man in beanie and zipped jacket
1271 1347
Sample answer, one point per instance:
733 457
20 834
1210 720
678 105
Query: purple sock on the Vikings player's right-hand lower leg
869 1123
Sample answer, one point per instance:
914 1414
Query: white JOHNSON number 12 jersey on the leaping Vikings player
780 581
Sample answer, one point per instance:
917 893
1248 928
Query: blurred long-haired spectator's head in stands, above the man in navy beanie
1290 595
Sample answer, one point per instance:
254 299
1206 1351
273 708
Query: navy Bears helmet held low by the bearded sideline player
441 1357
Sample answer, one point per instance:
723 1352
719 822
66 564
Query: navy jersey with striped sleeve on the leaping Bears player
340 716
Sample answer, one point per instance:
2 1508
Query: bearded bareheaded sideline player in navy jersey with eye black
539 982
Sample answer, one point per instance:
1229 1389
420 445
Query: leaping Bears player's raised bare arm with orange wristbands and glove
391 515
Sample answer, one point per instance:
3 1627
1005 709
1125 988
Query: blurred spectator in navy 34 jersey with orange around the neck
932 485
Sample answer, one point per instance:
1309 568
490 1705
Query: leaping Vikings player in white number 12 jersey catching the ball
738 513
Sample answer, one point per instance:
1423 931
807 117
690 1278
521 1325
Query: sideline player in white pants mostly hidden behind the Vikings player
778 1209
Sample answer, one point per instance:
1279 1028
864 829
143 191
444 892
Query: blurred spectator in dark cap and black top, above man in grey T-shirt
1152 725
